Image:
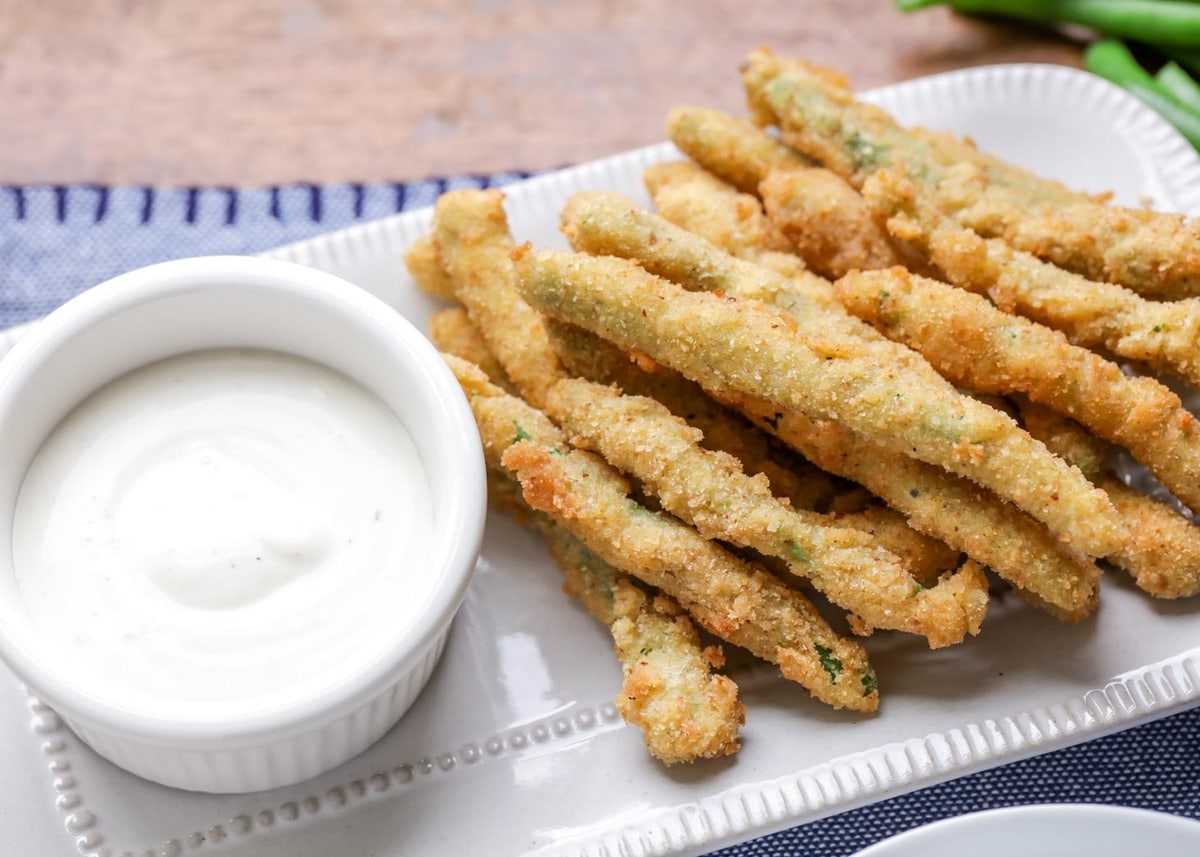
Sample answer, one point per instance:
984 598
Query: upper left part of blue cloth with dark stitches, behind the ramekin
56 242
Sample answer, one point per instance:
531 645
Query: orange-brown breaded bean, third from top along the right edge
980 347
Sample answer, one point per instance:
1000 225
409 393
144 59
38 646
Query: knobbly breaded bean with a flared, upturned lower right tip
711 492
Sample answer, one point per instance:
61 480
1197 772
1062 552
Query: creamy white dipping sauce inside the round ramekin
224 526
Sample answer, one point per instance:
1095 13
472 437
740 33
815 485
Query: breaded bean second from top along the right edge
1165 337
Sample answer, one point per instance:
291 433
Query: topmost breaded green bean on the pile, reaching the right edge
1155 254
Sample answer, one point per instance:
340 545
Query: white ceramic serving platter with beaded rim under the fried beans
515 747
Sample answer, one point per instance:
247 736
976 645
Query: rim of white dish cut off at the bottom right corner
1048 831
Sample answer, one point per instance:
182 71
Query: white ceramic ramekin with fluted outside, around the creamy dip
238 302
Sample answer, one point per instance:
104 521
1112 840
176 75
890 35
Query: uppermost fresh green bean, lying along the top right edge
1155 22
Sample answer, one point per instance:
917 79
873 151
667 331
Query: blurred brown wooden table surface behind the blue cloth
269 92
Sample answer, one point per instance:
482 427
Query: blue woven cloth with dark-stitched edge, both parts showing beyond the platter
56 242
